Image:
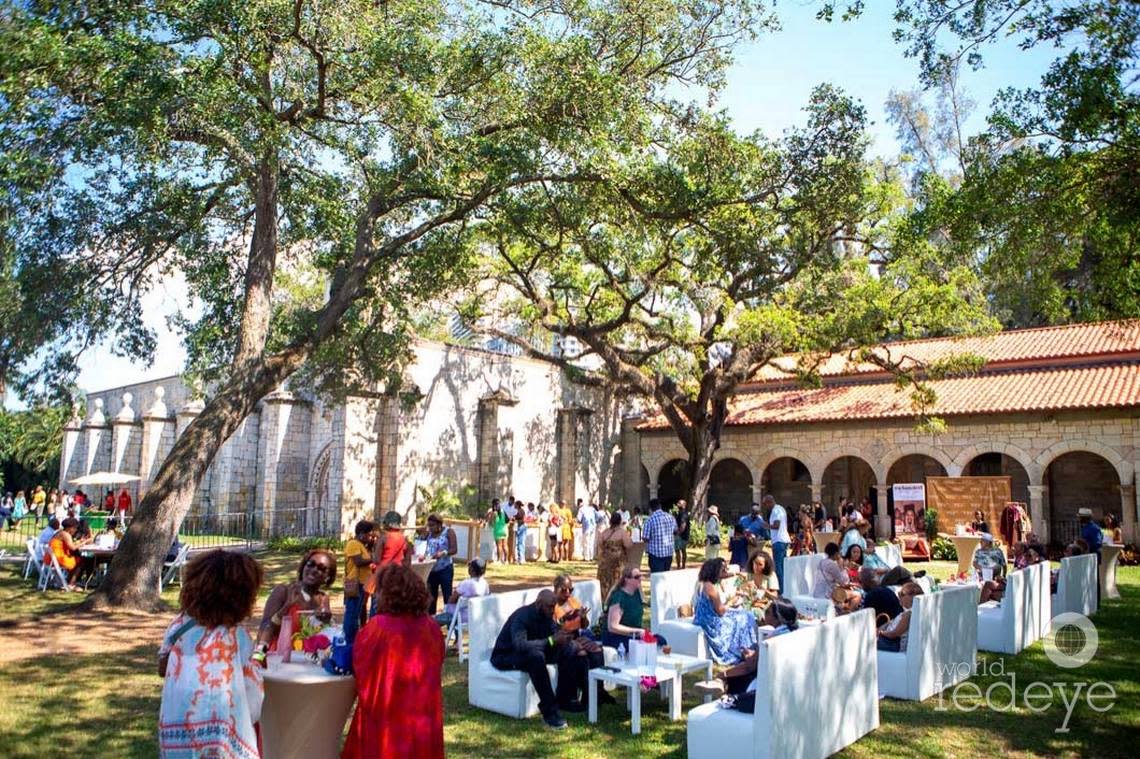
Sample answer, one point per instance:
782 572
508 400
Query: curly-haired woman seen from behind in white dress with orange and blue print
211 693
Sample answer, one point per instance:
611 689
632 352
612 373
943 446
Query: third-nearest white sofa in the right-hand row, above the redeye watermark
1024 614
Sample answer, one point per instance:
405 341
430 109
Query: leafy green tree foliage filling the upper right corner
1045 202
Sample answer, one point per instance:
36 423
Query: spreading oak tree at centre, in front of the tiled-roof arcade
685 275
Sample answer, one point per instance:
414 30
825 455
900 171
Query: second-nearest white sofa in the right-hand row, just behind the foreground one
941 649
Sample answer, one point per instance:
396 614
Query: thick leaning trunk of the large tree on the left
133 582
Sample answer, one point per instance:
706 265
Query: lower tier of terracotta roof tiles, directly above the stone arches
1106 386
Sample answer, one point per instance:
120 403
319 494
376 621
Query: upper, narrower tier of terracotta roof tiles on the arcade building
1069 342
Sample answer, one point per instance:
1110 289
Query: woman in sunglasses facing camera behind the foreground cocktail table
306 601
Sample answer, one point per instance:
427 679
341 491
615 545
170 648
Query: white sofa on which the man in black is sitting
510 693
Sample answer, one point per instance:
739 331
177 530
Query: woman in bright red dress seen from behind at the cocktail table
398 662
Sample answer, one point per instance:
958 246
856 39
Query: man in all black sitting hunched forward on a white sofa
528 642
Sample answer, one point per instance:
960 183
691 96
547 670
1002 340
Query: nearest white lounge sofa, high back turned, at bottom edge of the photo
818 693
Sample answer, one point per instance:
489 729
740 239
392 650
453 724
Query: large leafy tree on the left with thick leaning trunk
356 140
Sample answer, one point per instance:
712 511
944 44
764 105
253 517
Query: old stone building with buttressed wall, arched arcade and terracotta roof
1057 410
